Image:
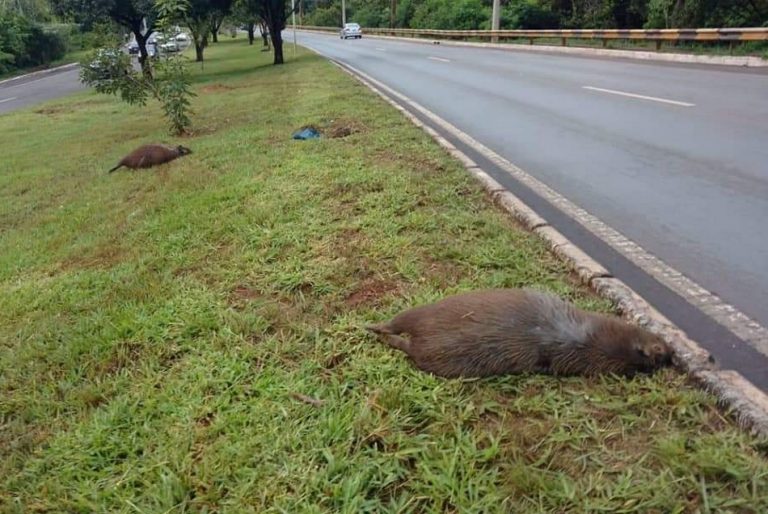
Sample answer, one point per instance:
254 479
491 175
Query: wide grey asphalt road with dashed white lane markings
675 157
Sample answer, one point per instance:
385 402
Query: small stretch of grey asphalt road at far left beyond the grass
27 91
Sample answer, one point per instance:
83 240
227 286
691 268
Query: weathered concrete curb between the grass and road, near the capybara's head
748 405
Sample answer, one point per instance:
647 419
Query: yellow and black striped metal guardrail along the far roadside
657 35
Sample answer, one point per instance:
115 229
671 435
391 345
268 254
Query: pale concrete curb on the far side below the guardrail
719 60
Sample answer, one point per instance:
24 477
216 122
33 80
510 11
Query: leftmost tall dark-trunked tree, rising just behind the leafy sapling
131 14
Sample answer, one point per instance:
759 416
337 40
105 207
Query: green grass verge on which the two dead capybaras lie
157 328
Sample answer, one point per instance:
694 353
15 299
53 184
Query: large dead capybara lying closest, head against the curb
502 331
